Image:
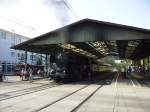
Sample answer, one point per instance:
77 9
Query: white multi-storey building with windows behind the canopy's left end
10 56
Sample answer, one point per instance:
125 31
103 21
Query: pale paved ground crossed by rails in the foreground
109 95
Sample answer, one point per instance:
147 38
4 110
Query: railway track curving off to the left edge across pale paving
26 91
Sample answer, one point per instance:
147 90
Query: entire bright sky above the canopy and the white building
40 16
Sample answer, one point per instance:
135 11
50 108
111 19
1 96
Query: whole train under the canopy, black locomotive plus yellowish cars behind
69 67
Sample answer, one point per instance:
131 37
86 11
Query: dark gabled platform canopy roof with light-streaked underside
94 39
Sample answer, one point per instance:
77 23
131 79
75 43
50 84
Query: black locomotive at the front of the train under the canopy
69 67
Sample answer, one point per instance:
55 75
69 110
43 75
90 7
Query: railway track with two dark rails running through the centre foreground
71 94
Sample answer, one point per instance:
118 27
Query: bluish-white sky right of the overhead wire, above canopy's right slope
130 12
